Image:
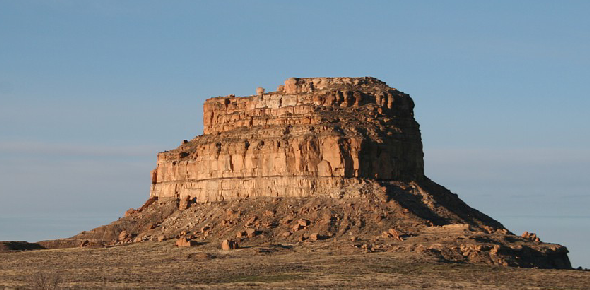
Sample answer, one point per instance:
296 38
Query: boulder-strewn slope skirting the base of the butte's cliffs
392 216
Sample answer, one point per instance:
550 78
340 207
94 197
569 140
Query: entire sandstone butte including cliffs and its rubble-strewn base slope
336 159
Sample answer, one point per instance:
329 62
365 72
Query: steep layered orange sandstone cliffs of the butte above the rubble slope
312 137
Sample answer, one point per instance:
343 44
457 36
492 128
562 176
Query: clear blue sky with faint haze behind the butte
90 91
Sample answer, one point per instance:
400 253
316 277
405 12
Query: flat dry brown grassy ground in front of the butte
323 264
